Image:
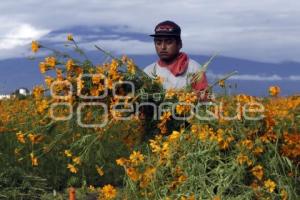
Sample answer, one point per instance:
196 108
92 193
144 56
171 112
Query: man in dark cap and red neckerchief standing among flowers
173 67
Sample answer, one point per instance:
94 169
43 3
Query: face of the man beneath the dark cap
167 48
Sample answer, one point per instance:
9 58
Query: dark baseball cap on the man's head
166 28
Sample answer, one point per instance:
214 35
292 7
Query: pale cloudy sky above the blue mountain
261 30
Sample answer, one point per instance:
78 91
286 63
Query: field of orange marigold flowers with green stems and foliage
241 147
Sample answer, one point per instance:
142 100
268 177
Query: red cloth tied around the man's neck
179 66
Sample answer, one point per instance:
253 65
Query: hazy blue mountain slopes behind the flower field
253 77
